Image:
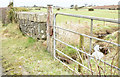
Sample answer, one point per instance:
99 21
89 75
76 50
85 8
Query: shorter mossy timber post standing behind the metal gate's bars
81 43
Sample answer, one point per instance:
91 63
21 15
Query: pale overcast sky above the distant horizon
64 3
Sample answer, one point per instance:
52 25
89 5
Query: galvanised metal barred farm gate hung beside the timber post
91 37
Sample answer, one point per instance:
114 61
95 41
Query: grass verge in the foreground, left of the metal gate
23 55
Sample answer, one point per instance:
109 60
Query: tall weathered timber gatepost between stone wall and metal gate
49 28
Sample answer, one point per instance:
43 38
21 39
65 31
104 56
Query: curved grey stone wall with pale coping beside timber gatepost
32 24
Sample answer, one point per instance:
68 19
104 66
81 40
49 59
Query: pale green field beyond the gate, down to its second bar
99 27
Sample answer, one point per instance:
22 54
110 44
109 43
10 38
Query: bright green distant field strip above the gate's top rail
97 12
